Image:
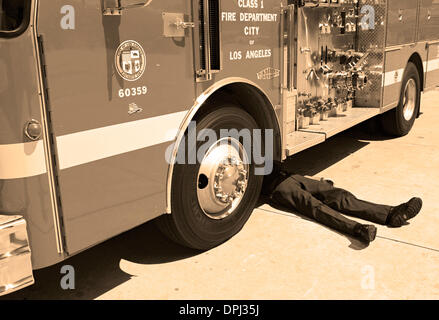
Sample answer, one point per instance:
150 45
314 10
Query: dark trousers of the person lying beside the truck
322 202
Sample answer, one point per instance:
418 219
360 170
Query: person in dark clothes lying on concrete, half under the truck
322 202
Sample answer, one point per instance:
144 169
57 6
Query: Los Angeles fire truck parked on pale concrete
97 98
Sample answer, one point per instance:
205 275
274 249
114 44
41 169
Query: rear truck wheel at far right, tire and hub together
399 121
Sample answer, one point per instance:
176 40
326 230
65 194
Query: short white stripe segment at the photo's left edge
22 160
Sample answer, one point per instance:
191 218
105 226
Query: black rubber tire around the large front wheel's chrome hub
188 225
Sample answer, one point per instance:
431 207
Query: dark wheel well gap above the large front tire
253 101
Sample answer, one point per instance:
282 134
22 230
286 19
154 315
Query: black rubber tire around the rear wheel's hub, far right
393 121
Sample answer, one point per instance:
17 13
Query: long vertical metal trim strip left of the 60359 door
46 135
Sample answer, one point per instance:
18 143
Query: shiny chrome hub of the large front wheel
223 178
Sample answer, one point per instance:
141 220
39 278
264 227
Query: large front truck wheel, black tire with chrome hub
214 198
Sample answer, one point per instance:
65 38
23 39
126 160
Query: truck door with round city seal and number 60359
119 83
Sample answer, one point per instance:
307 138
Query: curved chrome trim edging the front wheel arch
190 115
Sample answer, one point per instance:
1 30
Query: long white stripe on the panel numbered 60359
97 144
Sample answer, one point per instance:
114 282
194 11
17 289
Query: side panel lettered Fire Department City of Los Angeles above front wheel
250 45
